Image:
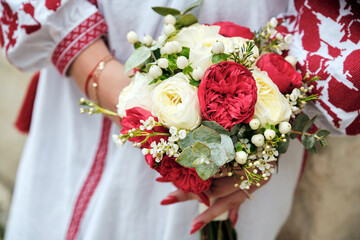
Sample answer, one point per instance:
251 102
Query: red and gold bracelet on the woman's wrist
95 74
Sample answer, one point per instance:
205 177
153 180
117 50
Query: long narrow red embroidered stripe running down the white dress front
91 182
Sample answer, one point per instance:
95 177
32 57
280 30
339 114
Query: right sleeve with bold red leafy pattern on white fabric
327 44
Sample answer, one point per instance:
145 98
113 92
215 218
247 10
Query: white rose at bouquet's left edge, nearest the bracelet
136 94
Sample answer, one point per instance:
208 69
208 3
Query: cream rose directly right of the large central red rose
271 105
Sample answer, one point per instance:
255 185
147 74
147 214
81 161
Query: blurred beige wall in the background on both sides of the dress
327 201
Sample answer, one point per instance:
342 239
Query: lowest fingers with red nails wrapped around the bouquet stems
232 202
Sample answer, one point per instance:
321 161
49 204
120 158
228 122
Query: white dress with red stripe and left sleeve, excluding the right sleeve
73 182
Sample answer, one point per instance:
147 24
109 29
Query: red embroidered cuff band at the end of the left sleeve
77 39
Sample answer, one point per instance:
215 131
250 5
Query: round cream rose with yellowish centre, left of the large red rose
175 103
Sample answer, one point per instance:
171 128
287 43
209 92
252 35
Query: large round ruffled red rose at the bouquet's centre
227 94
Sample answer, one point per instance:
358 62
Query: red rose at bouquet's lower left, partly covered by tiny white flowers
132 120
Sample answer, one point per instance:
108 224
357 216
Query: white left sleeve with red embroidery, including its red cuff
34 34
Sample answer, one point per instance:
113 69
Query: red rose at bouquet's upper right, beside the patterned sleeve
281 72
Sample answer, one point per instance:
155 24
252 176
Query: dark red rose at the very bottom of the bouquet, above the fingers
183 178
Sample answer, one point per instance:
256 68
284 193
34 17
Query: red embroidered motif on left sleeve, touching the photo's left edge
10 19
